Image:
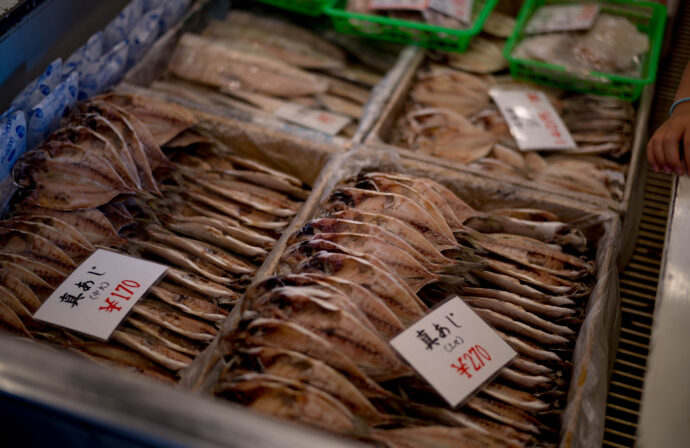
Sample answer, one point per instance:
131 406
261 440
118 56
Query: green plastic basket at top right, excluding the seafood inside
650 19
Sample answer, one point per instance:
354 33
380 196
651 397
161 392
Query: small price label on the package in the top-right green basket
549 19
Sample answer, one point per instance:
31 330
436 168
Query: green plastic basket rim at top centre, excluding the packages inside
408 32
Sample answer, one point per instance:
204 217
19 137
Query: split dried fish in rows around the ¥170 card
103 181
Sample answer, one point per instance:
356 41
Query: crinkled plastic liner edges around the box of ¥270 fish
583 417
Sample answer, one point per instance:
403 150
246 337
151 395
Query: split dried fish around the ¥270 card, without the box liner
312 342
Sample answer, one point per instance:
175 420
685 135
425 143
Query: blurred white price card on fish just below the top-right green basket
533 121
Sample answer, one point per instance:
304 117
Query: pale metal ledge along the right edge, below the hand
665 412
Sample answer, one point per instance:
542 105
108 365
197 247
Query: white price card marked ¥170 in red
95 298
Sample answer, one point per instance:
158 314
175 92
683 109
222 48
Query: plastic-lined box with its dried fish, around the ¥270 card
281 351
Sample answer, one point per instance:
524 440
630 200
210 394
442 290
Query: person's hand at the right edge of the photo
663 149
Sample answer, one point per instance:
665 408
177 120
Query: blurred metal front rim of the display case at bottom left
122 403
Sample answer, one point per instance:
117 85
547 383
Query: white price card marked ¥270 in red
454 350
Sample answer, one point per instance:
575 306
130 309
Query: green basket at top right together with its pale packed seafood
611 48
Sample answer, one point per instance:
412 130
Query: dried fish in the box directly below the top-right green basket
449 114
